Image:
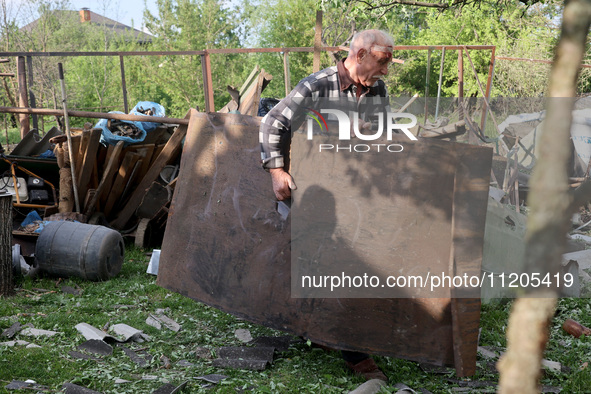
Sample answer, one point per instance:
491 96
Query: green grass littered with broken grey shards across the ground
133 294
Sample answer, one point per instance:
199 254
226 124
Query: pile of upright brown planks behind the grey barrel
114 181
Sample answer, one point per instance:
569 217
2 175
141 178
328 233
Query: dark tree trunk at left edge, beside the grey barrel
6 285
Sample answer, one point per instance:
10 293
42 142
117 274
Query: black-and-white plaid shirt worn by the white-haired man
276 126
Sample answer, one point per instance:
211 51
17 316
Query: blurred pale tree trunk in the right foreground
551 207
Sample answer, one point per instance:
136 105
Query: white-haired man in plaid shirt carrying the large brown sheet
357 76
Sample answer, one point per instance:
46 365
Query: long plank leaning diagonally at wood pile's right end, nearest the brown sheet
171 149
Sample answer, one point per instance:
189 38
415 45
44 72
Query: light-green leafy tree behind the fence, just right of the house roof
192 25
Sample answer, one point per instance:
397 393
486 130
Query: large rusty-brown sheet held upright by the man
227 246
